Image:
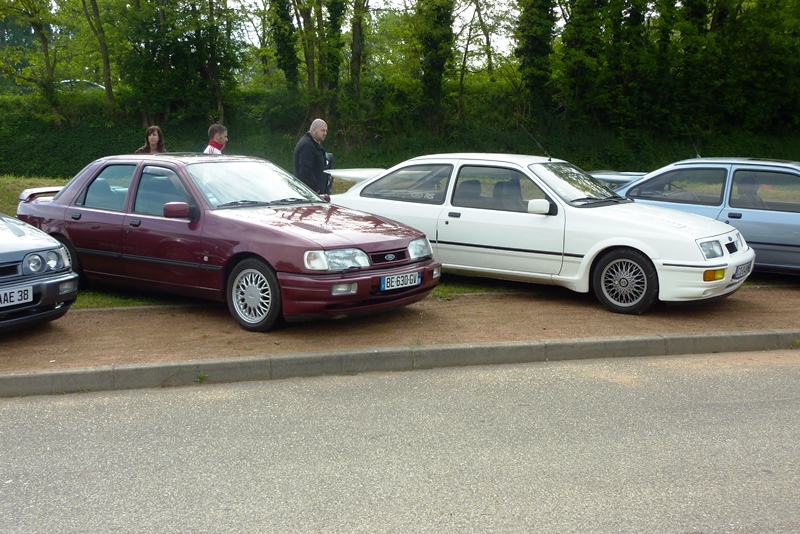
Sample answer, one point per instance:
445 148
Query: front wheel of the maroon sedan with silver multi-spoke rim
254 297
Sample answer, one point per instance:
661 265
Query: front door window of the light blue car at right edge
776 191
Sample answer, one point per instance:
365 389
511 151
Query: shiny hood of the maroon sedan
324 224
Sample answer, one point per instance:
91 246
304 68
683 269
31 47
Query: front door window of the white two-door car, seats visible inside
494 188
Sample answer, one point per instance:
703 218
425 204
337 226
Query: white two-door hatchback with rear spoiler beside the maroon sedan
543 220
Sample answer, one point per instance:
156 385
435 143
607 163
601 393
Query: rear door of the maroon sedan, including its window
94 221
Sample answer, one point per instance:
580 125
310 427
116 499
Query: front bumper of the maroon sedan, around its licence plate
307 297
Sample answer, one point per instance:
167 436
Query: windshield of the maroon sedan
233 184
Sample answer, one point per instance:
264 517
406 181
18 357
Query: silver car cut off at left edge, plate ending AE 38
37 283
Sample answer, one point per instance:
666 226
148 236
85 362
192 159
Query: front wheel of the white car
625 281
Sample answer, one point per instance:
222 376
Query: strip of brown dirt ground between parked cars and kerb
86 338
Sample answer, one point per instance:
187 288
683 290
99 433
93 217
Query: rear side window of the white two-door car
424 184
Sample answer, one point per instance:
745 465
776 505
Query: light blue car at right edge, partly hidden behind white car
759 197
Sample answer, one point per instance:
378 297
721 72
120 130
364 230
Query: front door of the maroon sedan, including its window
166 251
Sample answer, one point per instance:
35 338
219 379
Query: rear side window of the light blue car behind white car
695 186
